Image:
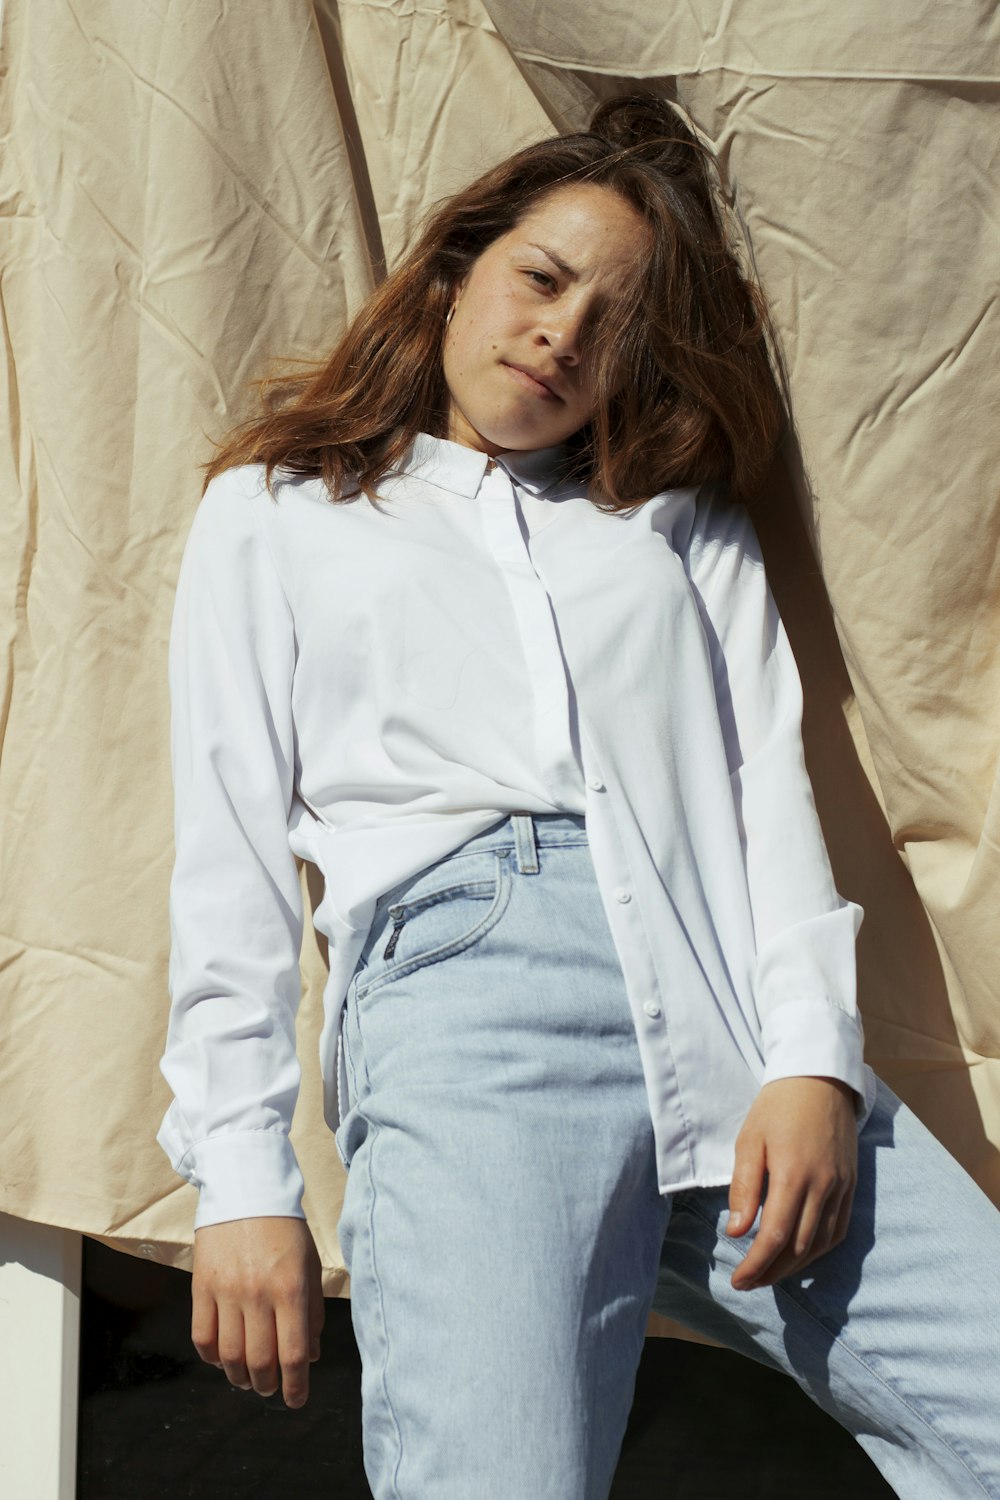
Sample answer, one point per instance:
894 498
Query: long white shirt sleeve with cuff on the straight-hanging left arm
236 913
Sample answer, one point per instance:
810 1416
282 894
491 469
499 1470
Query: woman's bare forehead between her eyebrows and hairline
591 229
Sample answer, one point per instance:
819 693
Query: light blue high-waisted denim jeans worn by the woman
506 1237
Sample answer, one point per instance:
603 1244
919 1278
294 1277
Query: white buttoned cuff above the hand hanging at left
245 1175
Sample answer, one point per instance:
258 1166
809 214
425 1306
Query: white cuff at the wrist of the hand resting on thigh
816 1039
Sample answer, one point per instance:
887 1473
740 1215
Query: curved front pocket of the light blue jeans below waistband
442 913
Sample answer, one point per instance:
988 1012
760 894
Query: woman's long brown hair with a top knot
680 364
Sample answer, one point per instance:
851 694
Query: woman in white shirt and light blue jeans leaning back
499 655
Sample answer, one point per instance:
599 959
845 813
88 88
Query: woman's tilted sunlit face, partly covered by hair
512 352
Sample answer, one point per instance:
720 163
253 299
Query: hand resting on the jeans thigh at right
803 1135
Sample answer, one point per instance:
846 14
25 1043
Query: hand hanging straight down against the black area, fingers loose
257 1304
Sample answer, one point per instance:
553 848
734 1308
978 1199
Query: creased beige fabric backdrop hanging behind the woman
191 190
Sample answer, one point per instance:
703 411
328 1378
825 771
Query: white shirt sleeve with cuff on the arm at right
806 934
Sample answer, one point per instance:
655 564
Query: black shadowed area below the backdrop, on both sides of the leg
157 1424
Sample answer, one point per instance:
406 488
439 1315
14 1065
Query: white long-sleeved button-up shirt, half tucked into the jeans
367 689
